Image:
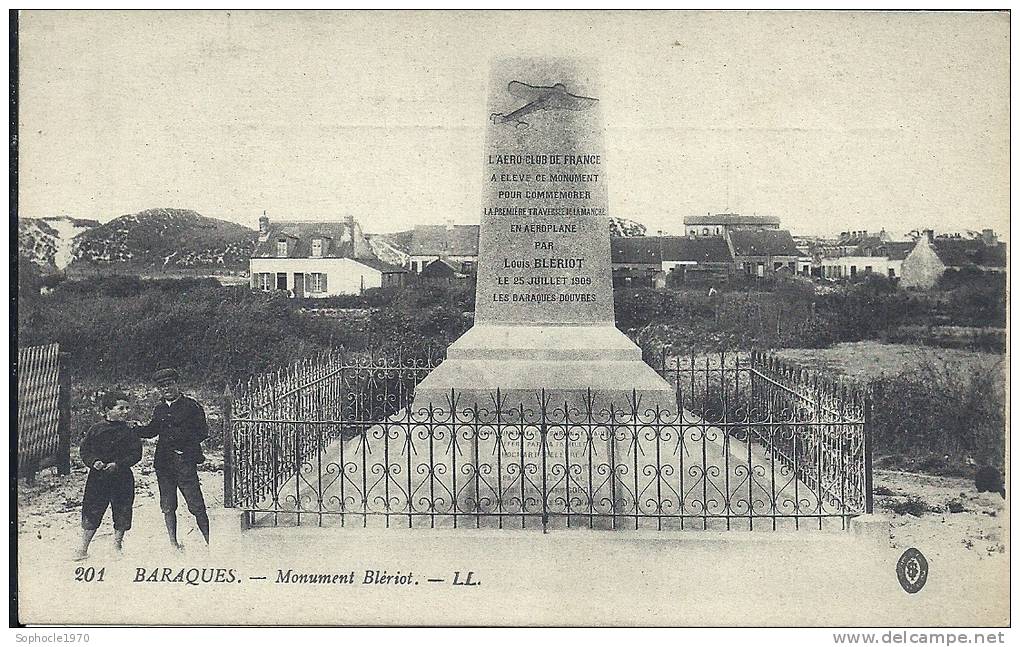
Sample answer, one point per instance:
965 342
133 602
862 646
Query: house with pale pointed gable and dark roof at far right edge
932 257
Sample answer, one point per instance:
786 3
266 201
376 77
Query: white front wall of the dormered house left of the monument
344 276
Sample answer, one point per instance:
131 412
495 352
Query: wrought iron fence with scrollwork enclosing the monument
754 444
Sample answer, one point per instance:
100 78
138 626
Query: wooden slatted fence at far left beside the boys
43 412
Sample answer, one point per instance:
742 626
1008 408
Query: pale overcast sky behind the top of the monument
830 121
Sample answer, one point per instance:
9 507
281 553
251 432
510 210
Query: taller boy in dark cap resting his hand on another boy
180 424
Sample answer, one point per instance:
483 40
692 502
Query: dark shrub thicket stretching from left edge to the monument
122 328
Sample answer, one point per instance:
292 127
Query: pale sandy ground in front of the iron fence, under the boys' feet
574 577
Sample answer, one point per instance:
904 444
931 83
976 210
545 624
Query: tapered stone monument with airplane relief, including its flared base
544 308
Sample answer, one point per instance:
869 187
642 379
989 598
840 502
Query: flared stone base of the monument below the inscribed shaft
567 362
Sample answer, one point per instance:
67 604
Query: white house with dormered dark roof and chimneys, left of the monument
319 260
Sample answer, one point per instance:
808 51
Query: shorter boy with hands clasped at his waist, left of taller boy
110 450
